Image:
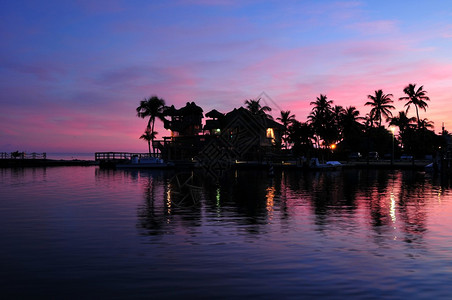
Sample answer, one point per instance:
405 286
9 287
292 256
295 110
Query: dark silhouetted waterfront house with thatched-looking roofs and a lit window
242 134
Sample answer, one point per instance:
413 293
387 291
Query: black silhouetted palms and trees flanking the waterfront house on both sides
329 124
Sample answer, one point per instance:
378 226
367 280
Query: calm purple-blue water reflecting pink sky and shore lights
82 232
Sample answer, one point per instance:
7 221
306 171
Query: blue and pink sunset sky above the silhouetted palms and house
73 72
